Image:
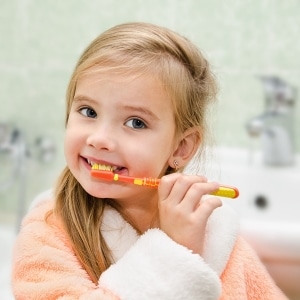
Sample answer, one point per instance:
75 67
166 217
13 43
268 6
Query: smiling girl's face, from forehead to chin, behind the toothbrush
126 122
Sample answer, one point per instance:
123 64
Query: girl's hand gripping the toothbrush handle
182 216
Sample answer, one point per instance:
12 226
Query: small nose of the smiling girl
102 137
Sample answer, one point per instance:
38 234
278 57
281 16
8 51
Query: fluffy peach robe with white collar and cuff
147 267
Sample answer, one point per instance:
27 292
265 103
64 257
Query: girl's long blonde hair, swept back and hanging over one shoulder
136 48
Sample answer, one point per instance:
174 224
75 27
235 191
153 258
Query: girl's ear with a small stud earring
187 147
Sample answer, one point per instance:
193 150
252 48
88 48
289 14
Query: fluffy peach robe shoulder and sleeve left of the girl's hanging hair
44 261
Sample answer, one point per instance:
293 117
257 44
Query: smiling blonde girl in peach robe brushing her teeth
136 106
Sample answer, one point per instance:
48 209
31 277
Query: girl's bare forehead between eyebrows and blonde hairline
134 88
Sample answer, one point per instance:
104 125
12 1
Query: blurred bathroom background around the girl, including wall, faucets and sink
254 49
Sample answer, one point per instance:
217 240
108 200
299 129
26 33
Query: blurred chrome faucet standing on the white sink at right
276 125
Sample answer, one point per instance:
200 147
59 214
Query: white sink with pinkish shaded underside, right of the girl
269 209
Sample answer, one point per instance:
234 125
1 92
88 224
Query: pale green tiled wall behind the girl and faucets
41 41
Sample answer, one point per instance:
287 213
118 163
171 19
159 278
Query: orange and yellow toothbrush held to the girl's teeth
223 191
